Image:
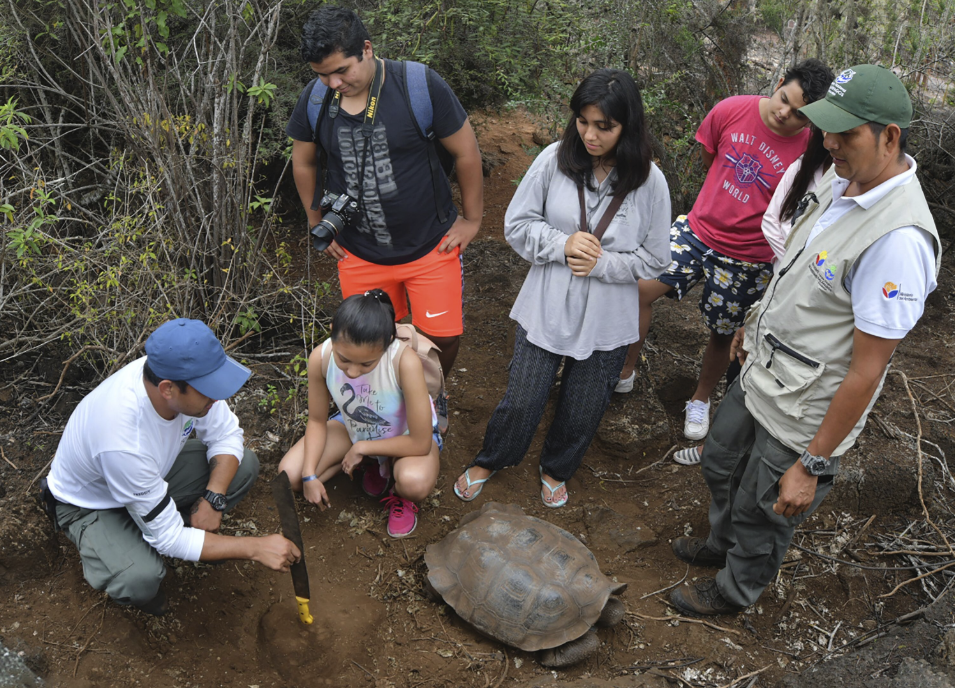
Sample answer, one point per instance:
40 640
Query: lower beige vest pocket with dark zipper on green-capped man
784 374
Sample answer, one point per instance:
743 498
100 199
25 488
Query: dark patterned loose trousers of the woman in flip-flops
585 389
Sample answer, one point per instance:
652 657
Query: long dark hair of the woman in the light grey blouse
615 94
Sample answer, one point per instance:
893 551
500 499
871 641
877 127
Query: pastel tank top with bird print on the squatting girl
372 405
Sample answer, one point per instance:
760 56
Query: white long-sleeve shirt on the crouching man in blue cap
116 451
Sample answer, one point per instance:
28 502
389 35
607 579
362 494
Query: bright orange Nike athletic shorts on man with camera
433 284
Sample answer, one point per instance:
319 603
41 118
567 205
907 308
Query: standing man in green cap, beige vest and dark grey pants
863 256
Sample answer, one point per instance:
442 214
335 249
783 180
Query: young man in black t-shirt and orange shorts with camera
399 243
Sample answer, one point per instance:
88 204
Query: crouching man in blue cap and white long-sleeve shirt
126 480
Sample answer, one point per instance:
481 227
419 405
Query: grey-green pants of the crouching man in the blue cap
115 556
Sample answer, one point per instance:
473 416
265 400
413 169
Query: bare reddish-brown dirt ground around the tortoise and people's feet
235 624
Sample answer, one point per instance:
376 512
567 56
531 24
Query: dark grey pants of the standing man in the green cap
742 464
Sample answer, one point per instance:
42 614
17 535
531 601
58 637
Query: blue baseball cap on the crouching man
188 350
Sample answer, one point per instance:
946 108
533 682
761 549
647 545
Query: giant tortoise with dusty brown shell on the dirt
525 582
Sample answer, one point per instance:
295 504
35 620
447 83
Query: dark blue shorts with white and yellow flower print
730 286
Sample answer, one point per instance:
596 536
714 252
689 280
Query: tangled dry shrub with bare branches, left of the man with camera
136 191
